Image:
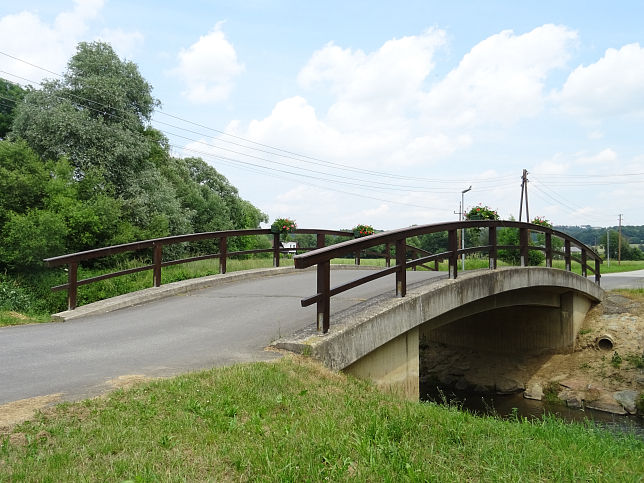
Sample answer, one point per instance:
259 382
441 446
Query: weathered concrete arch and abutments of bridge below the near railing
379 339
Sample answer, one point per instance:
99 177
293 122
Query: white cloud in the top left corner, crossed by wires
25 36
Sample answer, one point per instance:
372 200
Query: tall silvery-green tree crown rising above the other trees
95 116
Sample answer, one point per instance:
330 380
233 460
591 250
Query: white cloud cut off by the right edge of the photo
614 85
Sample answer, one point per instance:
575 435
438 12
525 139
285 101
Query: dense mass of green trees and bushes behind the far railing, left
81 167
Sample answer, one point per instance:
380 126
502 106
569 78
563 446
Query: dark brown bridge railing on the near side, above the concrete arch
397 238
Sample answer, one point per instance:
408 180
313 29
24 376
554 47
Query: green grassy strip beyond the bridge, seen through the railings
37 303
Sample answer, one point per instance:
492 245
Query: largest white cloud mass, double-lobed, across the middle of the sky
385 114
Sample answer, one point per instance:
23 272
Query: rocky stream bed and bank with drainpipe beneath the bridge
605 371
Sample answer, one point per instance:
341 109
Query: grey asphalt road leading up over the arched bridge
204 328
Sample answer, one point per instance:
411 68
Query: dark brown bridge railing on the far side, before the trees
156 245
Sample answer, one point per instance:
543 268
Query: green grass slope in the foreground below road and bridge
294 421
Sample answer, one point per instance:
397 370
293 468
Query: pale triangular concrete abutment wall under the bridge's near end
393 366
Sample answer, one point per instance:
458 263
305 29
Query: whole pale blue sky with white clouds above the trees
340 113
